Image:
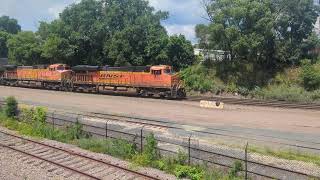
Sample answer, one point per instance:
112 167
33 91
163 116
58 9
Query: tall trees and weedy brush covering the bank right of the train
265 45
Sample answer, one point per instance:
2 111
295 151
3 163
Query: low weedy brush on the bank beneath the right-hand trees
293 84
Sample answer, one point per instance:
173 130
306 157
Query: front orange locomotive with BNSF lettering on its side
146 80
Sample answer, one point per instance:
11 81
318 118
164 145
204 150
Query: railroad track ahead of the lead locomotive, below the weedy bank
254 102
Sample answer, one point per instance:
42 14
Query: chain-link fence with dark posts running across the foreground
256 165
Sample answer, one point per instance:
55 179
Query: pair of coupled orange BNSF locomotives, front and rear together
146 80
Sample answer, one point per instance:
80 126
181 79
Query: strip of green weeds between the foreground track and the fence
119 148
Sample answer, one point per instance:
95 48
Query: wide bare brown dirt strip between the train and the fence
288 123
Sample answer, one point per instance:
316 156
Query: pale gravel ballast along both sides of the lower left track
15 165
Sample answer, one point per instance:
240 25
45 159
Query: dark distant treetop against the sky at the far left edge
9 25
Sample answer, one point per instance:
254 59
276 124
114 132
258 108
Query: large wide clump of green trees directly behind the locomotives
112 32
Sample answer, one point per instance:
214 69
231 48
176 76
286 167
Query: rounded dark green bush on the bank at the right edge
311 76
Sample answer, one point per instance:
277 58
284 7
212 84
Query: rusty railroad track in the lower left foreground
69 163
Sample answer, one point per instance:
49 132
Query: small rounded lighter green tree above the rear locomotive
24 49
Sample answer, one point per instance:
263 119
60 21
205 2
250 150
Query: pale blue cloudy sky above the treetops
184 14
